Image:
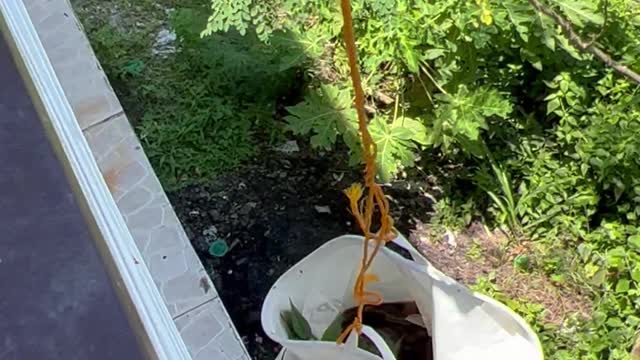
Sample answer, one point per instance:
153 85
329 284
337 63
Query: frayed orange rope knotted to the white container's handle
363 210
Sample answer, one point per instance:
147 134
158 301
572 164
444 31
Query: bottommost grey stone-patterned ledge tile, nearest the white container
198 326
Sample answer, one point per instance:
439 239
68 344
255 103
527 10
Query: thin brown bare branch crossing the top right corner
582 45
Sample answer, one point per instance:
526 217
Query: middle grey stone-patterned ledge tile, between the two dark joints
154 226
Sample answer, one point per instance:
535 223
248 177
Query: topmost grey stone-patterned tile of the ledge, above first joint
82 79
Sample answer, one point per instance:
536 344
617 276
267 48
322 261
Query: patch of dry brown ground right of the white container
495 257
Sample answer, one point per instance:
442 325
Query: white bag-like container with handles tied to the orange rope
463 325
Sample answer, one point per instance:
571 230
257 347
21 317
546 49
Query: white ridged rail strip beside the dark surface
160 329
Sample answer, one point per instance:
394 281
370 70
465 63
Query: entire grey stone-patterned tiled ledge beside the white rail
190 296
